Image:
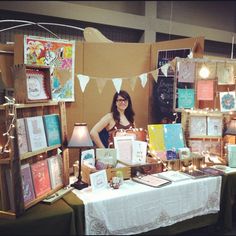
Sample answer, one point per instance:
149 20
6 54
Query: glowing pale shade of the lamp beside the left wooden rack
80 136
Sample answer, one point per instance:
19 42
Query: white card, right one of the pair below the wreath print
214 126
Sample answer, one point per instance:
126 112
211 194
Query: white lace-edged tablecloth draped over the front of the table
136 208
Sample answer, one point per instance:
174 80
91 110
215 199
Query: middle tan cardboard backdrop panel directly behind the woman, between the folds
114 60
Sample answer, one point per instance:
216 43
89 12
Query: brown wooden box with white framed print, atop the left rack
31 83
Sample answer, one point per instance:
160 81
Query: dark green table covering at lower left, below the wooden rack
42 219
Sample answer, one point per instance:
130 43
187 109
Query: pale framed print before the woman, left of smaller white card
123 144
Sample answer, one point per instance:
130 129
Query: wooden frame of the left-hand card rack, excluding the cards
10 159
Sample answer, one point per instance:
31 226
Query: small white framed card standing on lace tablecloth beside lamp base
98 180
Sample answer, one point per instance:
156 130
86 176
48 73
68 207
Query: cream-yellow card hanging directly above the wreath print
225 73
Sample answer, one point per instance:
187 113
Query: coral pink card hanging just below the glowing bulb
205 90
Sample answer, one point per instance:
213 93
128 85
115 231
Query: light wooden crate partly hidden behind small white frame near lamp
86 171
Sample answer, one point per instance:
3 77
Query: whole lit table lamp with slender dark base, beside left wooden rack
80 139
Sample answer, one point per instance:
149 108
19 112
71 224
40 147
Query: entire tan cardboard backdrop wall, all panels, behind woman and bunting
112 60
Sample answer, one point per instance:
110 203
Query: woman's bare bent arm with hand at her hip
104 122
